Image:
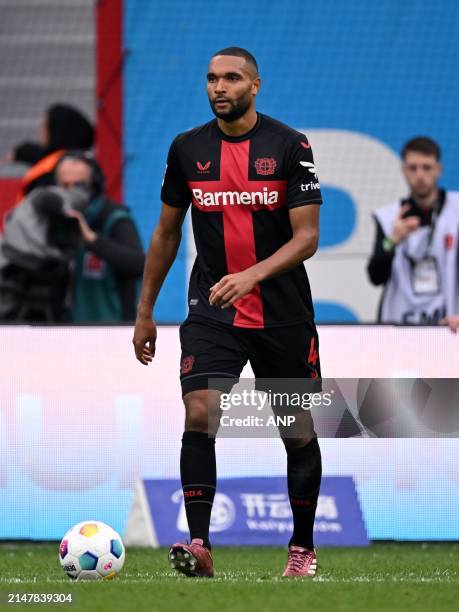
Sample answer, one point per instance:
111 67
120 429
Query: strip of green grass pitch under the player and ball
388 577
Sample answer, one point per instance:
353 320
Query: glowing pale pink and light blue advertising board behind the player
81 421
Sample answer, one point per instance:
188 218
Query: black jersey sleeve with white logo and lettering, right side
303 185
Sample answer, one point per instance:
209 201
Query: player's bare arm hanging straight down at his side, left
160 257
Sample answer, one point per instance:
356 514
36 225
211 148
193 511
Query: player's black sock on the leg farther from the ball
304 472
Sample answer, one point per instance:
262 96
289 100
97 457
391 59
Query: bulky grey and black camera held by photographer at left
36 251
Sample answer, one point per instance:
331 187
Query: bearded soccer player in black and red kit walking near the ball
255 199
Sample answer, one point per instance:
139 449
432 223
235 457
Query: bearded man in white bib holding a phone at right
415 255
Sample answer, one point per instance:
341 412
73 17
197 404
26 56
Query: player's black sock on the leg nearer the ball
198 471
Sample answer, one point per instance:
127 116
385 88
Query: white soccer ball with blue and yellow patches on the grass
91 551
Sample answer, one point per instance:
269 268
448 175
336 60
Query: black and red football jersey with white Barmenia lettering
241 189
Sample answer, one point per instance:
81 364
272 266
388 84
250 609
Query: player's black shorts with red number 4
211 349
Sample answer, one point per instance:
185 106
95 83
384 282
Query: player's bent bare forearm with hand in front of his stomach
303 244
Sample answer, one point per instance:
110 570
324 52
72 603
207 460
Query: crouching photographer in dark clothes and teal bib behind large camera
92 240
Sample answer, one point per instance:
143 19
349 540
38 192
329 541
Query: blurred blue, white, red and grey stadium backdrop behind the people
360 79
